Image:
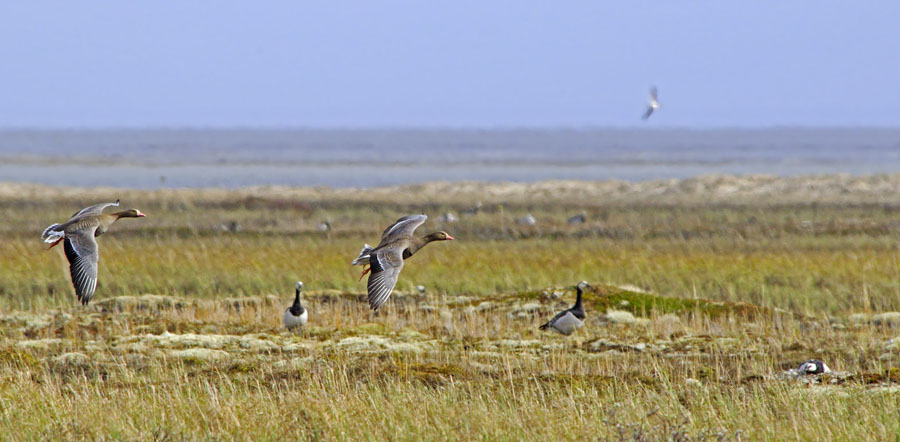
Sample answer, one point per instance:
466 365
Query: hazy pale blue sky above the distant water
580 63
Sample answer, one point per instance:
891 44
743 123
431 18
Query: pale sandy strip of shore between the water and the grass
704 189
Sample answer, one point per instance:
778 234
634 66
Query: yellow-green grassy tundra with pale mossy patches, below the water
700 304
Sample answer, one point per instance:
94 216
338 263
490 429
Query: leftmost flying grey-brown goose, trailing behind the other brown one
79 234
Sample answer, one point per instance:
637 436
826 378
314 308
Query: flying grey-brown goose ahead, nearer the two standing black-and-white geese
386 259
